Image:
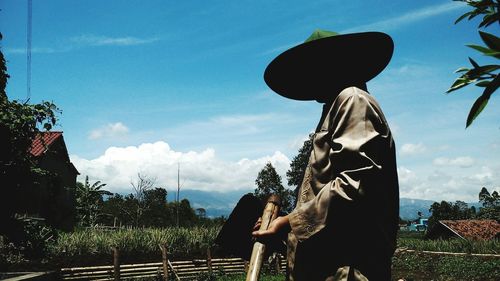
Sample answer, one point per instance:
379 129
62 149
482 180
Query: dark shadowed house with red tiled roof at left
52 197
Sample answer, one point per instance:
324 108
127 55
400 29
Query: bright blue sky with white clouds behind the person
145 85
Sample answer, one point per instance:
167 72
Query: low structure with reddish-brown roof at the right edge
465 229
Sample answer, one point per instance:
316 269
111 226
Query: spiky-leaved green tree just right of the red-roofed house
89 198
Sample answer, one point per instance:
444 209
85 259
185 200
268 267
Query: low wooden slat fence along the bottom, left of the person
166 270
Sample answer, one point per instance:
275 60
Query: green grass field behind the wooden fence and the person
94 247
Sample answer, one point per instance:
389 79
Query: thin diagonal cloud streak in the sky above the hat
409 18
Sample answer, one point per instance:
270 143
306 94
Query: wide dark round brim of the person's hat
310 71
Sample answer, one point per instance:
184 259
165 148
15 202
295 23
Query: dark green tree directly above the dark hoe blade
269 182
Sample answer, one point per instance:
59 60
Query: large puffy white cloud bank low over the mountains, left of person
202 170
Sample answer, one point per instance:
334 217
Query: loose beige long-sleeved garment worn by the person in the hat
347 208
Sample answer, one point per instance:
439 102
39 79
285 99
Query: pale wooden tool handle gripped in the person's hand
269 214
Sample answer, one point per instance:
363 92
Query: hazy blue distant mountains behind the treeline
219 204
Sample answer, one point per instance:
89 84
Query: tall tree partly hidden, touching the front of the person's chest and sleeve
295 175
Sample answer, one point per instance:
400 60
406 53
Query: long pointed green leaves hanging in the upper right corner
485 76
